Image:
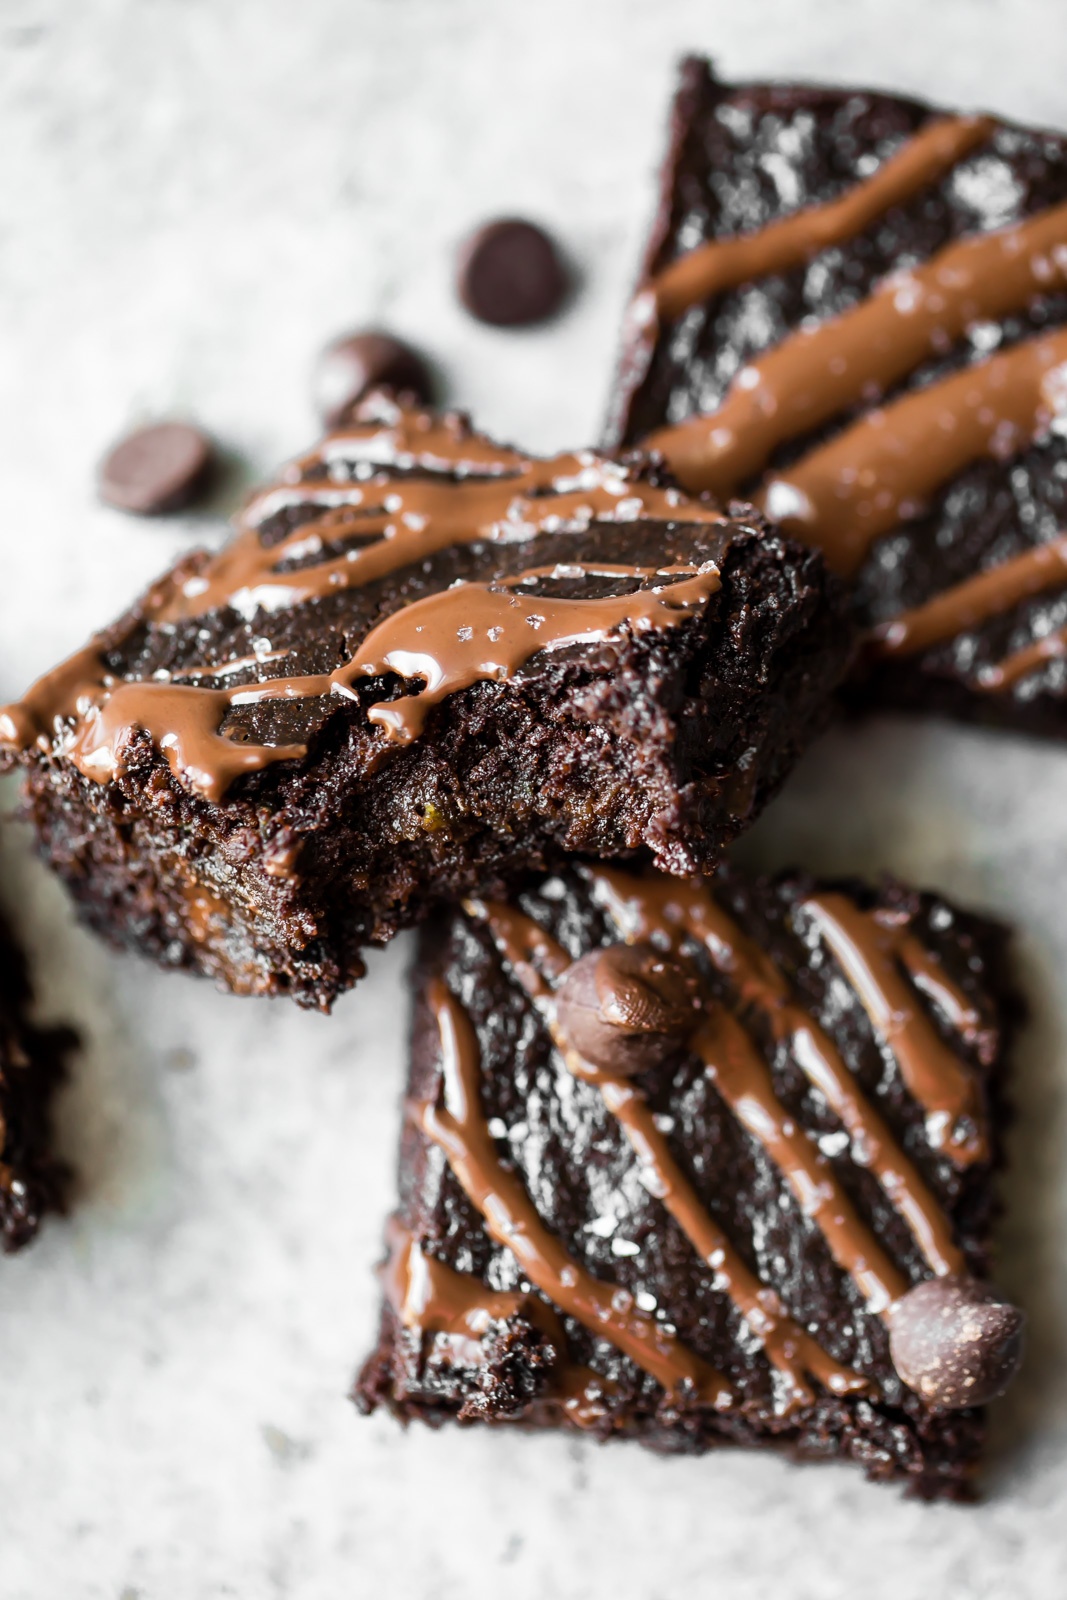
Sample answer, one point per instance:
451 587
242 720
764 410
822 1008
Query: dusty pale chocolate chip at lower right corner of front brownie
956 1343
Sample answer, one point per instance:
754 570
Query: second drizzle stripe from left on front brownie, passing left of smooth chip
788 1346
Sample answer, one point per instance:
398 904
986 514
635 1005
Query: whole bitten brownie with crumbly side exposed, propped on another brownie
425 663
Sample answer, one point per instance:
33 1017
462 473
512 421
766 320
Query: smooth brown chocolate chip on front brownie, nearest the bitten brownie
628 1007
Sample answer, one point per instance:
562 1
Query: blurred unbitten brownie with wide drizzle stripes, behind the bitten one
853 311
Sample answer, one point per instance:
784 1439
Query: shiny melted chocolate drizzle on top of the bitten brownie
444 642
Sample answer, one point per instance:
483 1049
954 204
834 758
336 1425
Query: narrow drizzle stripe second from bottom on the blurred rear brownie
975 601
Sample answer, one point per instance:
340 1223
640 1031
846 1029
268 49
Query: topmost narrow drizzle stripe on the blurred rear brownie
725 263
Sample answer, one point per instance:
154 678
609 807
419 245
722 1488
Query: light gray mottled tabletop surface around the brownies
193 198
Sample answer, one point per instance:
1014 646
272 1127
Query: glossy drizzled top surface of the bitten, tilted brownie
404 551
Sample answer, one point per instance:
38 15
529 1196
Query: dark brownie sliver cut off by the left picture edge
31 1068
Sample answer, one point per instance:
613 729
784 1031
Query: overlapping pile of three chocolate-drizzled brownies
689 1156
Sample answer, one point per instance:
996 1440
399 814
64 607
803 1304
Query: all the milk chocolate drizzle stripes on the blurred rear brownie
884 468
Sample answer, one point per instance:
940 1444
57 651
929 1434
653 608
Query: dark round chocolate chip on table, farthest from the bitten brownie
511 274
